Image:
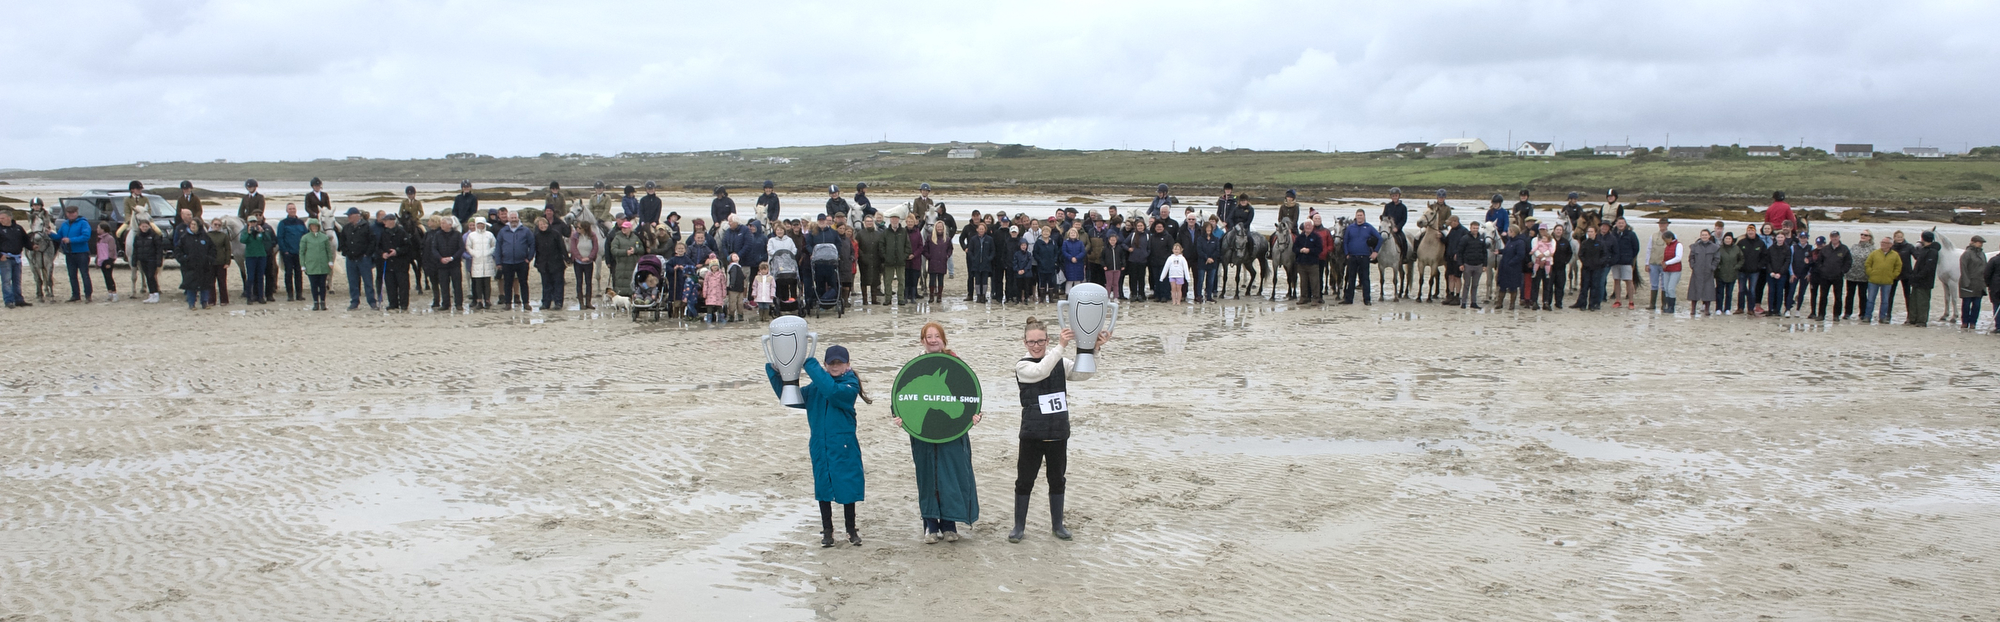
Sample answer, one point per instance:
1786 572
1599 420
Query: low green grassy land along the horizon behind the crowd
893 165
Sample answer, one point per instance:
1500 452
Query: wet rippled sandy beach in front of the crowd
1235 461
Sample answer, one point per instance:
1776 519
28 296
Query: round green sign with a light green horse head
937 397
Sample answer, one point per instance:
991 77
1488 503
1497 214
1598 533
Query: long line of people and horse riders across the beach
733 265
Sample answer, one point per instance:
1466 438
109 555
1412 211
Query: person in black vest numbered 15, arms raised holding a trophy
1045 421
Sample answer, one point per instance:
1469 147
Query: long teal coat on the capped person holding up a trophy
837 455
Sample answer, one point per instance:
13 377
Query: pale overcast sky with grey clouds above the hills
107 83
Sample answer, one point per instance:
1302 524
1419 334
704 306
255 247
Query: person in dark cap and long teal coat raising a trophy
837 457
